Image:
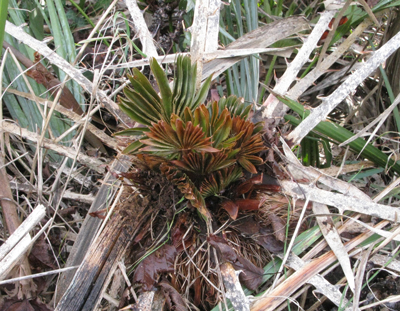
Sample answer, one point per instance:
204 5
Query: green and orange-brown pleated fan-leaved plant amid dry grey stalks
201 149
